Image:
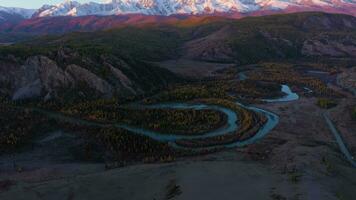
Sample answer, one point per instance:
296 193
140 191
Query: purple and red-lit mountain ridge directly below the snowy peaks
65 24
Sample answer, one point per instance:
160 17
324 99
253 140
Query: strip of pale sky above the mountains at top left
35 3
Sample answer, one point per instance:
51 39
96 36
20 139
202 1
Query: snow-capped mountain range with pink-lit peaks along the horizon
169 7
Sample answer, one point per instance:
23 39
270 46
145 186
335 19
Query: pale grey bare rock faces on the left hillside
40 77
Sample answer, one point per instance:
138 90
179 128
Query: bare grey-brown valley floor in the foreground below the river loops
299 159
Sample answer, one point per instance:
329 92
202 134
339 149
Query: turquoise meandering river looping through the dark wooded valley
230 127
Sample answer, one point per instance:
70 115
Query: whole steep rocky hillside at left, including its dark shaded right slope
65 75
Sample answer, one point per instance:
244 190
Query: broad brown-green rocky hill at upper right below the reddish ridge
292 36
